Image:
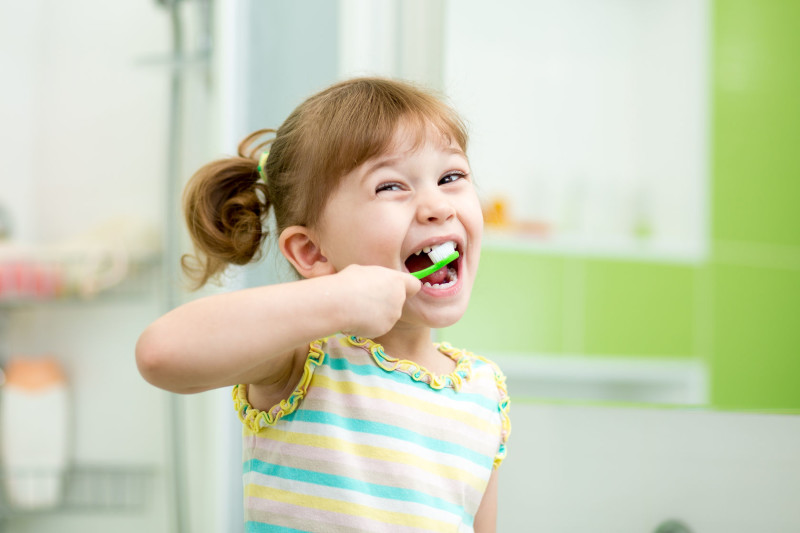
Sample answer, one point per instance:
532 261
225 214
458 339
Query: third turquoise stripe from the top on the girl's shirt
348 483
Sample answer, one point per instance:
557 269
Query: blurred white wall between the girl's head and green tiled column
588 116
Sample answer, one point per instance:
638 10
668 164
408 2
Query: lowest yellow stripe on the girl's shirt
336 506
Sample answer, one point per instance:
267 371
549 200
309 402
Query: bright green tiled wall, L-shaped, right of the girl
738 310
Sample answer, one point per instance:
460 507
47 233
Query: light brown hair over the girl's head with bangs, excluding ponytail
347 124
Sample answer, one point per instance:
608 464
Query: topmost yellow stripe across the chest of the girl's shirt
353 387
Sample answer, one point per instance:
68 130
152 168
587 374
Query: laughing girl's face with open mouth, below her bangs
398 203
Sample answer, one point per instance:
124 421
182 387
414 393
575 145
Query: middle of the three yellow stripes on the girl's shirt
374 452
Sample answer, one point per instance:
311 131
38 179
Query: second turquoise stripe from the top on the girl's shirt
388 430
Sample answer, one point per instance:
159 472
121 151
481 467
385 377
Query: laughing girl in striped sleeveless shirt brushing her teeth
354 421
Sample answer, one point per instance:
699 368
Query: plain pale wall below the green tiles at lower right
572 469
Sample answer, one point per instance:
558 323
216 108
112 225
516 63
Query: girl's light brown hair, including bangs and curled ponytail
323 139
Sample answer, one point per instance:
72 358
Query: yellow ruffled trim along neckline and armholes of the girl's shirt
255 419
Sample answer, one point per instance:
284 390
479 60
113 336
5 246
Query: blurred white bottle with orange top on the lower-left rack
34 411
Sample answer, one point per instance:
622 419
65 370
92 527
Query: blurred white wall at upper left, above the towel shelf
83 126
